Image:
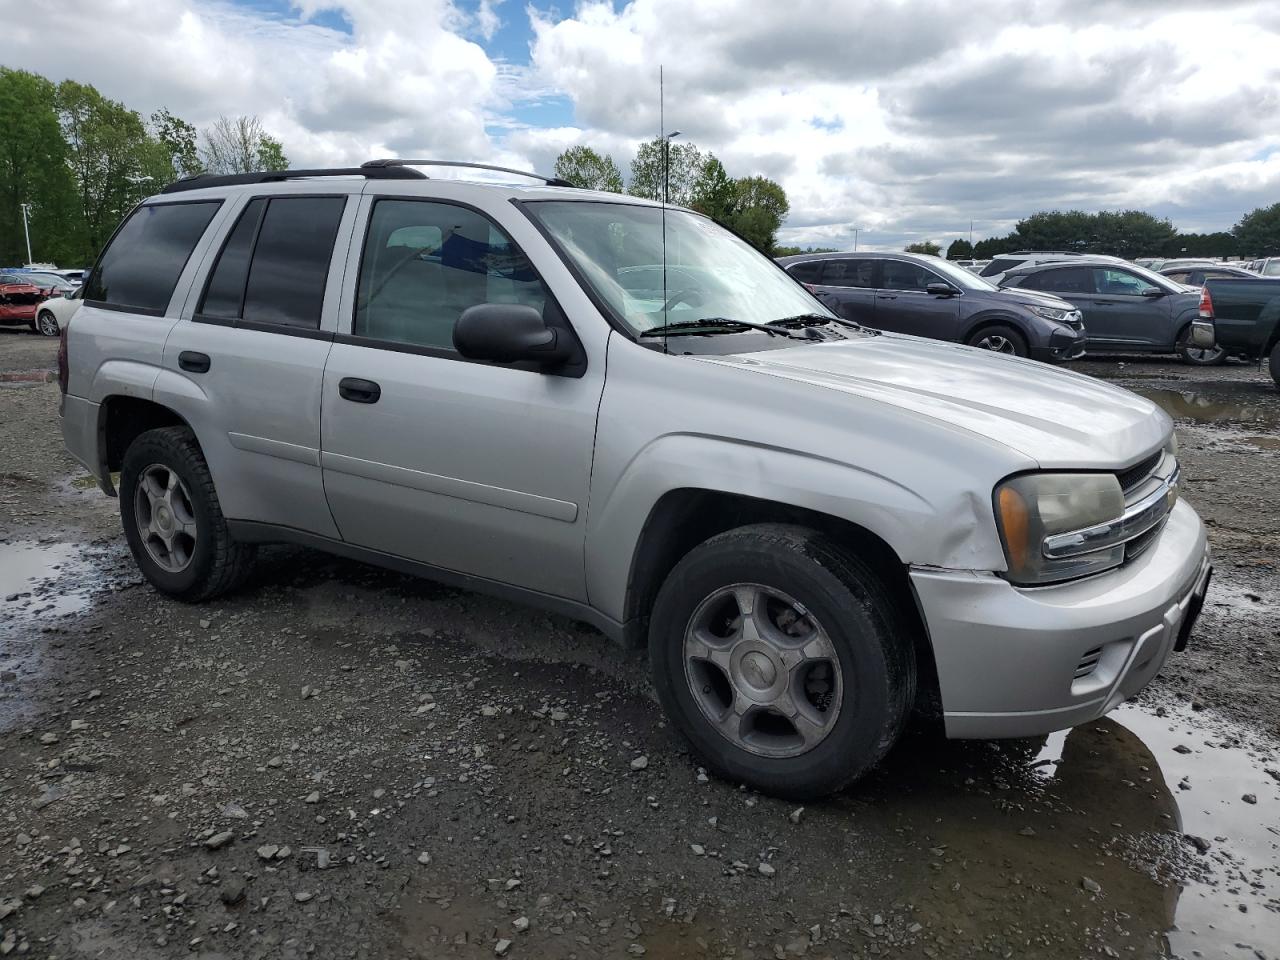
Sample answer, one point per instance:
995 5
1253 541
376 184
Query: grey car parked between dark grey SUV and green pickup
1126 308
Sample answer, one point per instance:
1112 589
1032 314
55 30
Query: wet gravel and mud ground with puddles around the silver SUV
344 762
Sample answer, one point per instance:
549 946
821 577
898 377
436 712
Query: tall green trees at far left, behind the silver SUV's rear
80 162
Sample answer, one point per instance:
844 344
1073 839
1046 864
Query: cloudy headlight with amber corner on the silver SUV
1036 506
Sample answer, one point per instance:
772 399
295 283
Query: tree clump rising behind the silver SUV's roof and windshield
752 207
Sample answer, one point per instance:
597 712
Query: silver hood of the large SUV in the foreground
1058 419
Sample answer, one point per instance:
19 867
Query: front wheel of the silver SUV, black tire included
857 693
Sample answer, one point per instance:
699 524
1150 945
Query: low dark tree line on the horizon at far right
1127 234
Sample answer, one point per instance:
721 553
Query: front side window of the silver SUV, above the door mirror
426 263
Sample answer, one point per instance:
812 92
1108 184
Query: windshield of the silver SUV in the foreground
710 273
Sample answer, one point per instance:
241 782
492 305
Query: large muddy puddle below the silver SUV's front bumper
1108 835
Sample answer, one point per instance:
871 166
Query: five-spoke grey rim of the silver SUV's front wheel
764 671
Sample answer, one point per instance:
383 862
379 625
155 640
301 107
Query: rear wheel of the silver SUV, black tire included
191 566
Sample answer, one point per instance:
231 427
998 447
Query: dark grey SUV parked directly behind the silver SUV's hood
932 298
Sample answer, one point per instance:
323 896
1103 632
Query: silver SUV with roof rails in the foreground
627 415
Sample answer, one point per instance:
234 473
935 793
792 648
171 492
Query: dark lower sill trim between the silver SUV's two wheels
257 532
